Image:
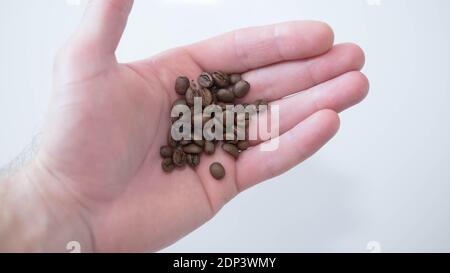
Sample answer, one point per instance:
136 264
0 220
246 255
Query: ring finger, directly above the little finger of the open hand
337 94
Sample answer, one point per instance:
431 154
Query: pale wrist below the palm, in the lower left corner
39 215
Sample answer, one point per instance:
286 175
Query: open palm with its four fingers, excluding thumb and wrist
110 121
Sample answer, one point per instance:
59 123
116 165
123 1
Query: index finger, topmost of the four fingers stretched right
250 48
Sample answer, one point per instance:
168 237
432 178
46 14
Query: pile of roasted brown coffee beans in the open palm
217 89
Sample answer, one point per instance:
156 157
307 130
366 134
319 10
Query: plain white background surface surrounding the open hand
385 177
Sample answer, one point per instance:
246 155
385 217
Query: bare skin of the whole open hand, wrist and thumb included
97 177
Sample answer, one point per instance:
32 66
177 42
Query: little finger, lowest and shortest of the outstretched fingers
295 146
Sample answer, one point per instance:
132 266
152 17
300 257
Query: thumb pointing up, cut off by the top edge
92 48
